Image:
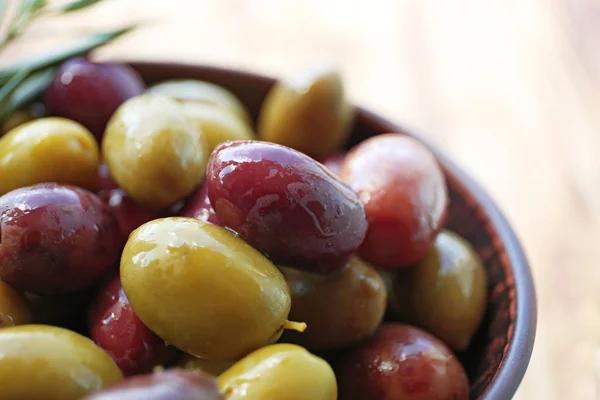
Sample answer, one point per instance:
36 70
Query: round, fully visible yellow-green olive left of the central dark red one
153 152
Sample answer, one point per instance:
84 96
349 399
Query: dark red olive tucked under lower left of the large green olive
116 328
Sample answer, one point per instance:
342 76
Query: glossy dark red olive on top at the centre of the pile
286 204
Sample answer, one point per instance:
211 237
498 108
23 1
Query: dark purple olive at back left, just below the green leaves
89 92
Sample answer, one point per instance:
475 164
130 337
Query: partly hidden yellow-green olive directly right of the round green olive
217 124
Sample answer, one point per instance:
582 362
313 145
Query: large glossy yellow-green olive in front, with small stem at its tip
203 289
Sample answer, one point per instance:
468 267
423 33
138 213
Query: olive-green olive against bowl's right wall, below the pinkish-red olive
445 292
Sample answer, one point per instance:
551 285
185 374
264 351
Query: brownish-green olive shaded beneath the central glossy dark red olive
339 309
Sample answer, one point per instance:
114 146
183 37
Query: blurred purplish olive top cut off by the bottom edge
168 385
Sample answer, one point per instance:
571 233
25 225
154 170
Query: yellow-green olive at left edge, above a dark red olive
48 150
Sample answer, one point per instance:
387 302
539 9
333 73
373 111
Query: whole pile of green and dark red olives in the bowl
155 243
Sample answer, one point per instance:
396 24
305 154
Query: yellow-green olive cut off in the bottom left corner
39 362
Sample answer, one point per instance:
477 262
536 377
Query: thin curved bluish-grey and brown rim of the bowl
524 304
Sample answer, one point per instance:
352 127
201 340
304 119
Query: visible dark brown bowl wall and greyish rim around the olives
500 351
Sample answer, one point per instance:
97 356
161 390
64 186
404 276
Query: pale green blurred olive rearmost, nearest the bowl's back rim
200 92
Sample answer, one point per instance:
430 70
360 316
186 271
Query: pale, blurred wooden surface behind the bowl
509 88
